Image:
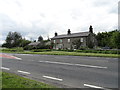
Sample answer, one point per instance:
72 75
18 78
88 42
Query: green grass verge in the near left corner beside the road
10 80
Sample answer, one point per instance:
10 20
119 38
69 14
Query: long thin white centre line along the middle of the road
74 64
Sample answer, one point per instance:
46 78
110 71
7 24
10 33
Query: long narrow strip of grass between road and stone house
68 53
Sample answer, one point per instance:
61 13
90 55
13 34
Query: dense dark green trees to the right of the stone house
109 39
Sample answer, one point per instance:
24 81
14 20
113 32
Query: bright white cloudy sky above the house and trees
32 18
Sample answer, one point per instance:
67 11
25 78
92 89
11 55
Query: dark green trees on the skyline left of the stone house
14 39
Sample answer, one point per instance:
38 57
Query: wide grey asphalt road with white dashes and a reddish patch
65 71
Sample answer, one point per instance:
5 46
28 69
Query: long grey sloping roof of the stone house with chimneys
81 34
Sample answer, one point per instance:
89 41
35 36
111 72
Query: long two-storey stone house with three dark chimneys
65 41
